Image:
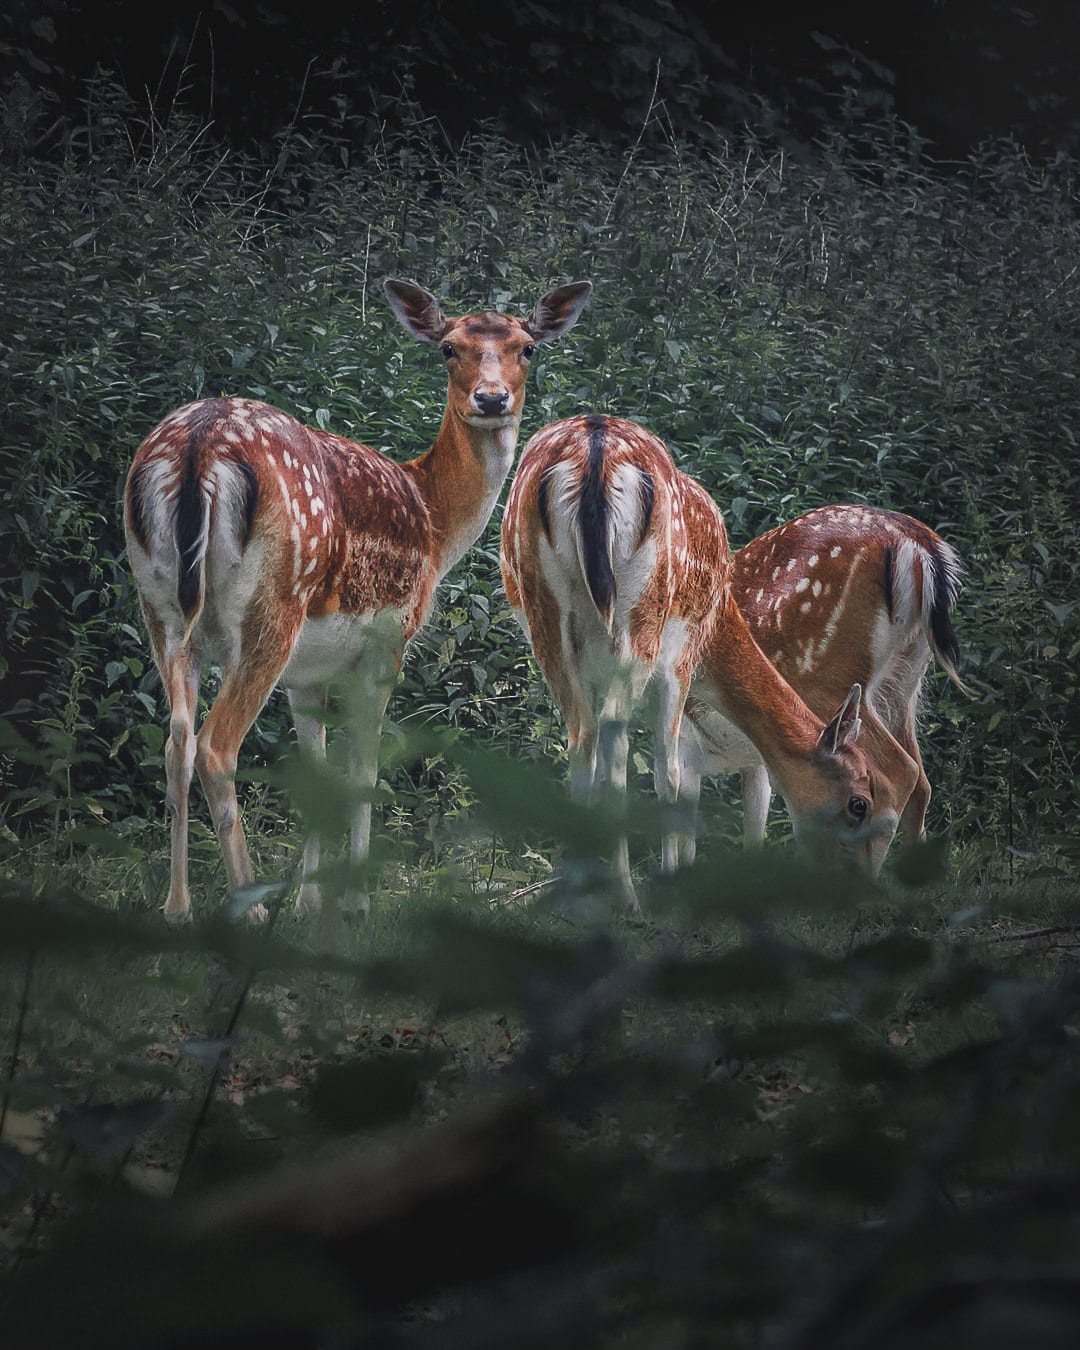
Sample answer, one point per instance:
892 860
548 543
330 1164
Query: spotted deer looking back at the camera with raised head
291 556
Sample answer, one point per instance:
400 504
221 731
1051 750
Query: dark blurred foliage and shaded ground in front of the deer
786 1112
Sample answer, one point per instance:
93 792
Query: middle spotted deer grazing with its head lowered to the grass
618 568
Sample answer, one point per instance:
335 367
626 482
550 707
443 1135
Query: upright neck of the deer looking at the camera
461 479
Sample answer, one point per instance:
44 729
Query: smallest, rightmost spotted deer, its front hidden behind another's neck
844 595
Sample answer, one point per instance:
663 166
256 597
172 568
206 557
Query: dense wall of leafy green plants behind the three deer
846 325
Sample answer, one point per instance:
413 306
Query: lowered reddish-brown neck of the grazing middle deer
742 684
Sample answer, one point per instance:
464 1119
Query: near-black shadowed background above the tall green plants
961 71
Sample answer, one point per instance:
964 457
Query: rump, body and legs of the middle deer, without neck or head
614 564
